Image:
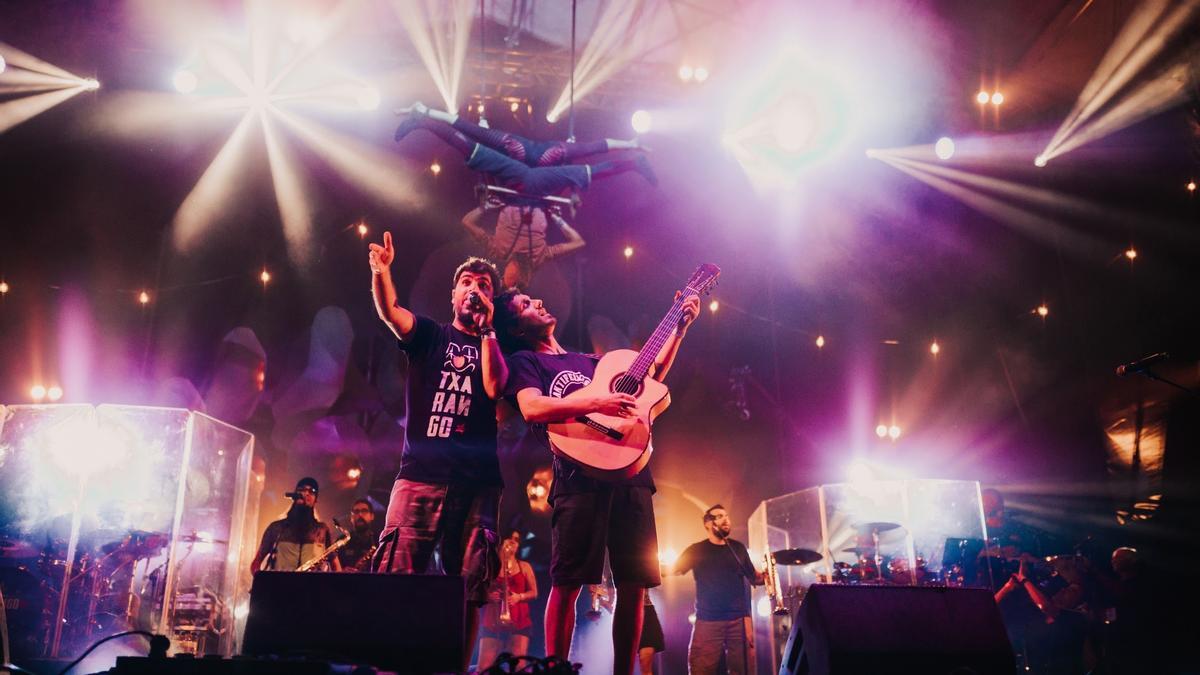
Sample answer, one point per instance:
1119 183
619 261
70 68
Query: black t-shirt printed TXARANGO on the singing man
452 423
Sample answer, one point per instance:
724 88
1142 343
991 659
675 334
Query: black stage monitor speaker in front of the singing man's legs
404 623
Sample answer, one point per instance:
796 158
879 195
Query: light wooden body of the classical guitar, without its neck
620 447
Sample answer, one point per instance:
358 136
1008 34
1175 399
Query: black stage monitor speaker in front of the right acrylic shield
851 630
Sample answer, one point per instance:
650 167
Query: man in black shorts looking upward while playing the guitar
591 516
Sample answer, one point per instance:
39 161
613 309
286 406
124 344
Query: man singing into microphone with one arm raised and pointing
448 492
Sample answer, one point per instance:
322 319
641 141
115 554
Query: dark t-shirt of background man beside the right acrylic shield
724 575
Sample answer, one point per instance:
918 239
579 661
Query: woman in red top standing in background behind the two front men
508 625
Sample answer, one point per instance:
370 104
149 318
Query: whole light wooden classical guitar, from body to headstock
610 447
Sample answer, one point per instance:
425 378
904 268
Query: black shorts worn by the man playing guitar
619 519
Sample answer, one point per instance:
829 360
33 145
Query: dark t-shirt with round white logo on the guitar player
559 375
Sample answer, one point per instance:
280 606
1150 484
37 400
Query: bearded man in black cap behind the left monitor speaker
298 537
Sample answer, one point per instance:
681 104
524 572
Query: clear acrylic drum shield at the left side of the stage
111 516
